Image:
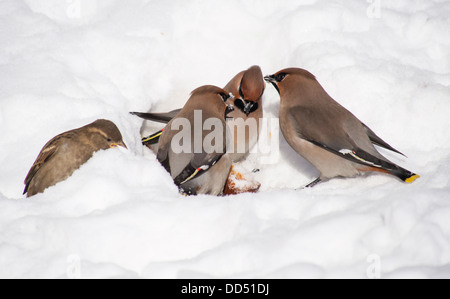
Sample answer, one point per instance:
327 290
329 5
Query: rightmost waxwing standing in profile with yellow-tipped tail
325 133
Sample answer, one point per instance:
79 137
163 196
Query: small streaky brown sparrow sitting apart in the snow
65 153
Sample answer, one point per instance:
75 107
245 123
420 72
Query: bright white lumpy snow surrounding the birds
64 64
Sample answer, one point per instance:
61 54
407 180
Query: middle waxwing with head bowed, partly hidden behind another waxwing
250 86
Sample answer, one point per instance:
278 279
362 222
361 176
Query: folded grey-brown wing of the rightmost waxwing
317 127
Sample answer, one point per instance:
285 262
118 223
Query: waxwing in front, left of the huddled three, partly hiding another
198 166
